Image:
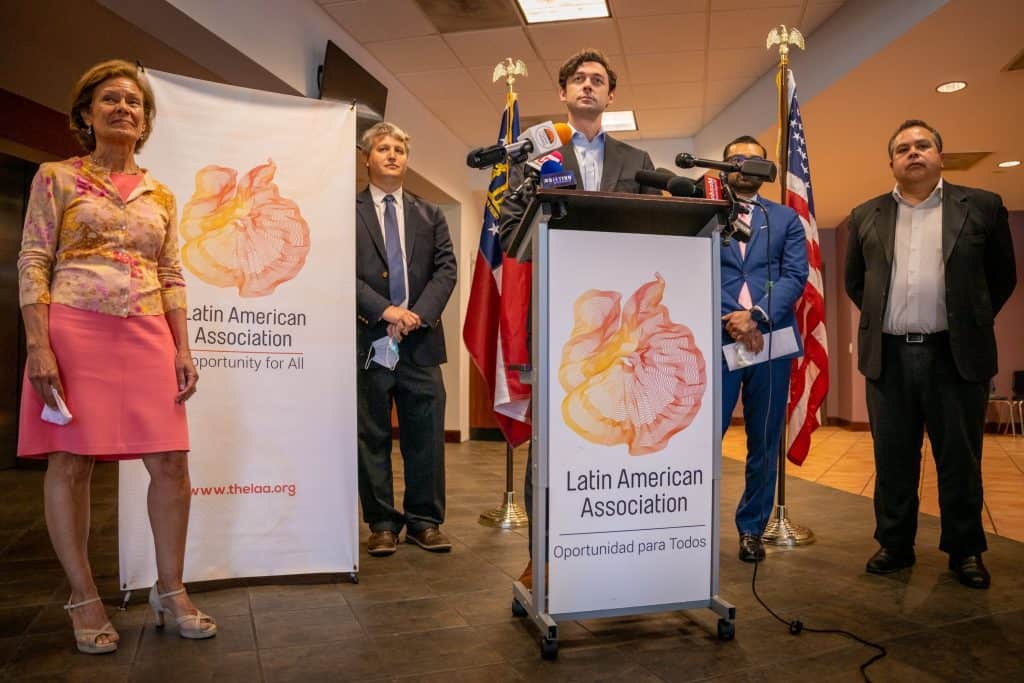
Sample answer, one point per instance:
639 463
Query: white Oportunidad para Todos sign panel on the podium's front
631 456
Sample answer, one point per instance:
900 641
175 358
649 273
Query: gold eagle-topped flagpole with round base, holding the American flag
781 531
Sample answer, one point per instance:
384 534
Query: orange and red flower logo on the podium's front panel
631 376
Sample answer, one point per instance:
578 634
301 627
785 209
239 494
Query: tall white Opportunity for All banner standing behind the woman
266 198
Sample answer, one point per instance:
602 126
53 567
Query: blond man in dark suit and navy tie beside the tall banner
406 272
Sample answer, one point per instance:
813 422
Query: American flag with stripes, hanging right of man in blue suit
809 377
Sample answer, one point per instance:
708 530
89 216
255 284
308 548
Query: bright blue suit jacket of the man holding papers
788 242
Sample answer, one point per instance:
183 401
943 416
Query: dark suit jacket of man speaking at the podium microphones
622 162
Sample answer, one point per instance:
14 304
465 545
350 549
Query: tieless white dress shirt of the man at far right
918 285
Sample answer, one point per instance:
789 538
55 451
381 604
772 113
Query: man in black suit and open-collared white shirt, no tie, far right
929 266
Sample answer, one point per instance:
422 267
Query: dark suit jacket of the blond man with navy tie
431 277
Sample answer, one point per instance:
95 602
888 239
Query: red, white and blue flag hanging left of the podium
495 331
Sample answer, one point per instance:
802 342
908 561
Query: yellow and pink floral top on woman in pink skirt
86 247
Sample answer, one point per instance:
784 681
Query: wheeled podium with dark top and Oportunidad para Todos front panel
665 558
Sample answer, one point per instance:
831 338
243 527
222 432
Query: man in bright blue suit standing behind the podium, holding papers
761 283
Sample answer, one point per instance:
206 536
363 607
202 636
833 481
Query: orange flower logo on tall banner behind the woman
243 233
